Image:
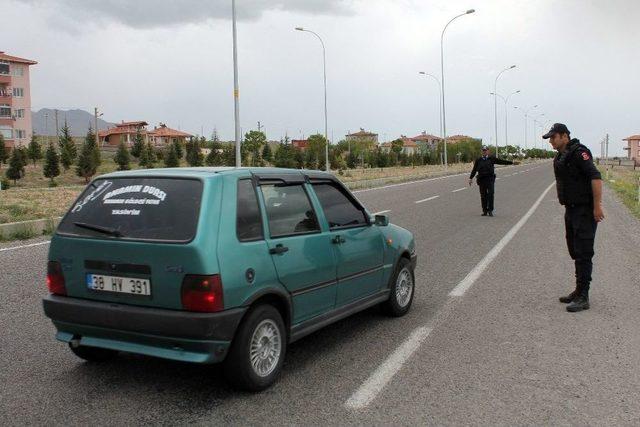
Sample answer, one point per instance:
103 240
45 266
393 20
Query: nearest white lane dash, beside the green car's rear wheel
385 372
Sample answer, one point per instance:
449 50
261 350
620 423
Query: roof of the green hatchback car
201 172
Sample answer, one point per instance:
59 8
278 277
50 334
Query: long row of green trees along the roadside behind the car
255 151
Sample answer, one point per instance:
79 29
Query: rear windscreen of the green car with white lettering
160 209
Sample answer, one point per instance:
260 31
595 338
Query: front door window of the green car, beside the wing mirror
338 208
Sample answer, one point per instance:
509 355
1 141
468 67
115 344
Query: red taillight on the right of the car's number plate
202 293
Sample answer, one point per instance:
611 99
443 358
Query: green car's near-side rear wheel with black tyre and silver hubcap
261 334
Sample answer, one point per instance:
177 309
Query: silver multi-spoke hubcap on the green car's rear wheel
265 349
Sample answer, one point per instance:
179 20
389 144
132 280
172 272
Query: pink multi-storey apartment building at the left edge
15 100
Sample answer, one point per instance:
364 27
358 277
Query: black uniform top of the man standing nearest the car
574 170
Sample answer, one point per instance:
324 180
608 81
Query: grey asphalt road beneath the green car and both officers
501 351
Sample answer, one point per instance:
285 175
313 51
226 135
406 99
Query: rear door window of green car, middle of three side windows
289 210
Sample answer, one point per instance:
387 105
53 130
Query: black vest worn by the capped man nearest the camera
574 188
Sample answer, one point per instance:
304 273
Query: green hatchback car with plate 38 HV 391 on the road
212 265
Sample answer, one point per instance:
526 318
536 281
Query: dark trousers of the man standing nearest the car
580 228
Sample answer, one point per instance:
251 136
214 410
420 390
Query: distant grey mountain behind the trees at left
44 122
